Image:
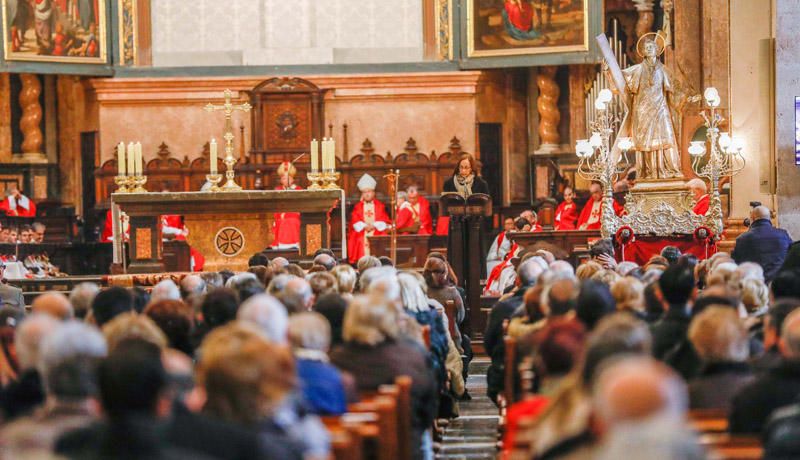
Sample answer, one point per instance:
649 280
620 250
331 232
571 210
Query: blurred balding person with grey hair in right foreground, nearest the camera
641 406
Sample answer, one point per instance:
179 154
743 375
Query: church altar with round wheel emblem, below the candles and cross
225 227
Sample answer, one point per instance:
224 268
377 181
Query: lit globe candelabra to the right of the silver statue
723 158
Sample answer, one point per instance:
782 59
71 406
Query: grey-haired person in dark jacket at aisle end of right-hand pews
527 273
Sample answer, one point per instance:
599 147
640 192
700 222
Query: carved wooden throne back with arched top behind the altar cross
287 114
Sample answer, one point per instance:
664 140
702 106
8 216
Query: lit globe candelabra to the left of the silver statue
599 161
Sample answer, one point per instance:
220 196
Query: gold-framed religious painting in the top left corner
60 31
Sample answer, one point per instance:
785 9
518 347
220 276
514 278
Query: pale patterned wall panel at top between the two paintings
285 32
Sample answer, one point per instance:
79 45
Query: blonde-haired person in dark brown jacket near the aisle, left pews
375 354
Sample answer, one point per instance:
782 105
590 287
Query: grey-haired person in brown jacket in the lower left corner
68 360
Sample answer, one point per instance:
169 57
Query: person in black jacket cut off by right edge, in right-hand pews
779 387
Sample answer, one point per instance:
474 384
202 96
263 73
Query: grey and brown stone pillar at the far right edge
786 25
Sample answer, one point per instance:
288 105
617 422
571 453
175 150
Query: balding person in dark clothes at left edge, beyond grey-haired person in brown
22 396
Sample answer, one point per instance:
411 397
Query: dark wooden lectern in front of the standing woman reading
465 242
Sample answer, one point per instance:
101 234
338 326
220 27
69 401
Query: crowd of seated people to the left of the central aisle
228 365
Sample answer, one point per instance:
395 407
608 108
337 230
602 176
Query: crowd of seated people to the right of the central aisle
614 356
